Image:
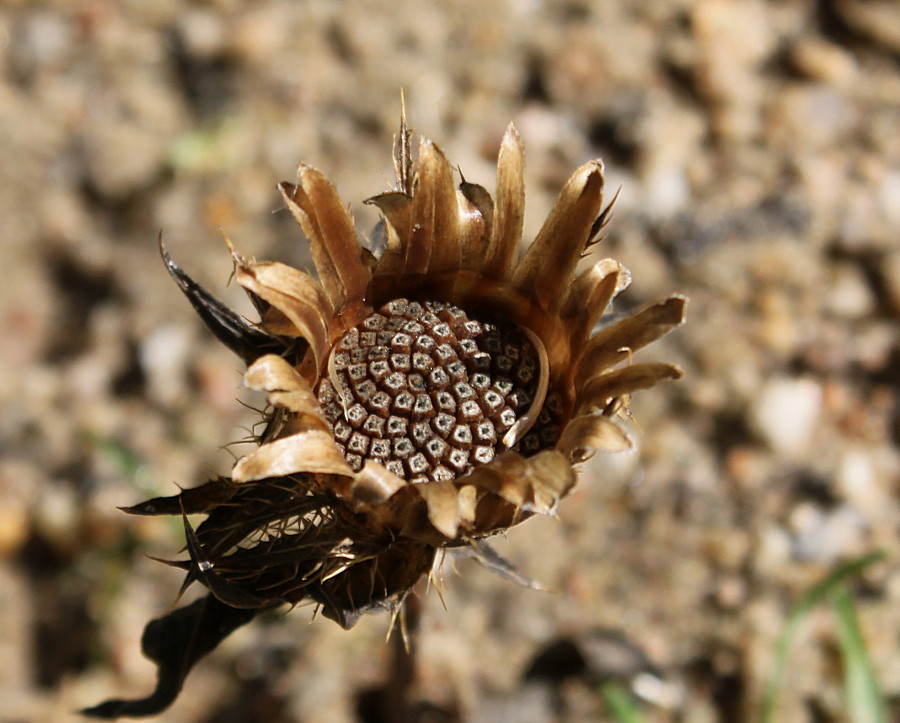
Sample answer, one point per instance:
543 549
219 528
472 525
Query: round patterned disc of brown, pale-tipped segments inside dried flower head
429 393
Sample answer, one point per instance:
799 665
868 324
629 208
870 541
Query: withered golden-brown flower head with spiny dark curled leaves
423 397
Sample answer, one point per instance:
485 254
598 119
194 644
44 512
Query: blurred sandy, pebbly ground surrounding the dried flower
757 150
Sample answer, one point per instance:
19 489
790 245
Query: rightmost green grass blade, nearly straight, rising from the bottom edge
865 703
